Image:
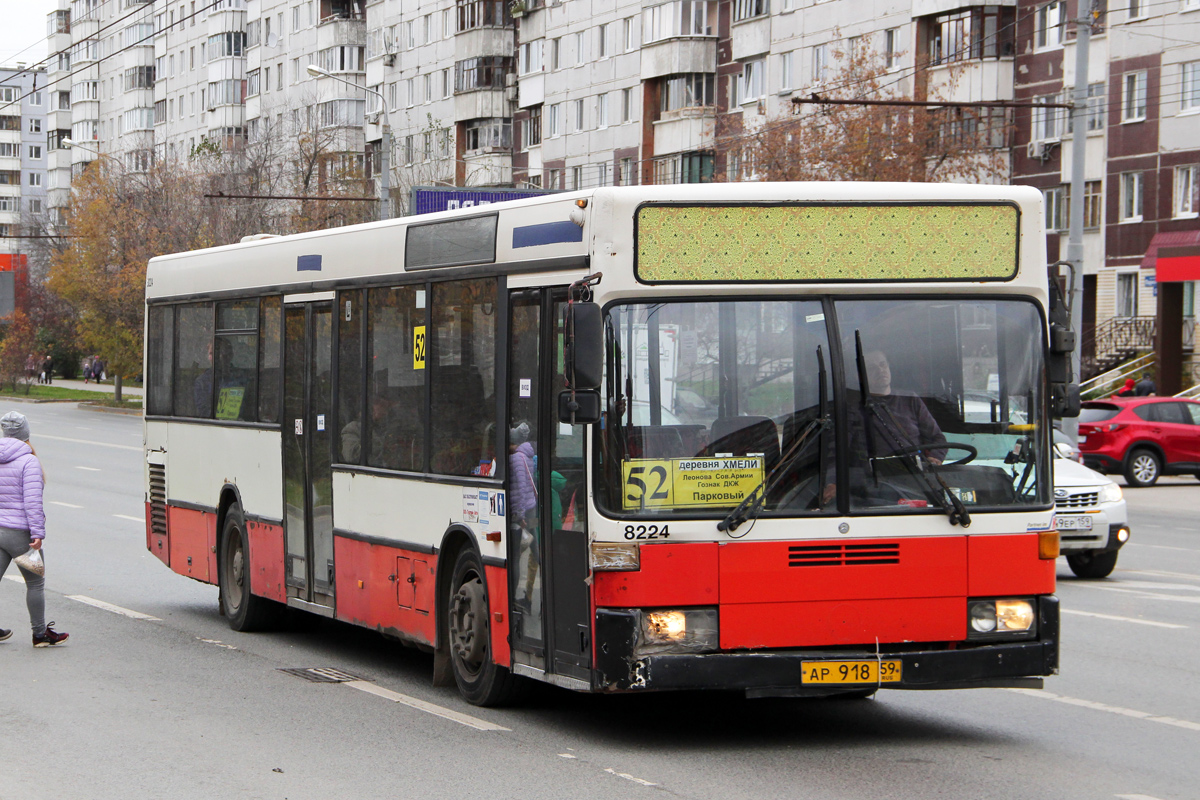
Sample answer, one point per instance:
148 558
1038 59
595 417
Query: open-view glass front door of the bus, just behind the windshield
547 491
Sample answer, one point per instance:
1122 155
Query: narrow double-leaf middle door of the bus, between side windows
308 479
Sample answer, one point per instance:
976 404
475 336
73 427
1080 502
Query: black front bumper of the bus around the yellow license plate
778 673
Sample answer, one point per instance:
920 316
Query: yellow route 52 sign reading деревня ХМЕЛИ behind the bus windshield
689 483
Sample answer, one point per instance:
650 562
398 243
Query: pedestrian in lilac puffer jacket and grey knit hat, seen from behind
23 521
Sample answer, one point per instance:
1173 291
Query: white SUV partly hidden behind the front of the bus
1091 518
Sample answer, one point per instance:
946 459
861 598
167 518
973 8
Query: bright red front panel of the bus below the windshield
833 593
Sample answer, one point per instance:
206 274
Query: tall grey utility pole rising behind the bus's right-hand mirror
1078 165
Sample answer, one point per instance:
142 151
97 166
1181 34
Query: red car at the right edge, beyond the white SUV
1142 437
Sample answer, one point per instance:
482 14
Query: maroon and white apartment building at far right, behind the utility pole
1143 159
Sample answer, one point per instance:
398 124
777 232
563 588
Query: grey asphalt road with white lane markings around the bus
179 706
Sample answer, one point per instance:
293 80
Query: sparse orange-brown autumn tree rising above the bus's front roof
874 143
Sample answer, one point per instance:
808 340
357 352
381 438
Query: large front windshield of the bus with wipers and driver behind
710 401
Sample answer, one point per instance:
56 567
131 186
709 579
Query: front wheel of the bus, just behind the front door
467 634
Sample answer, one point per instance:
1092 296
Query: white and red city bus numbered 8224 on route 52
784 438
